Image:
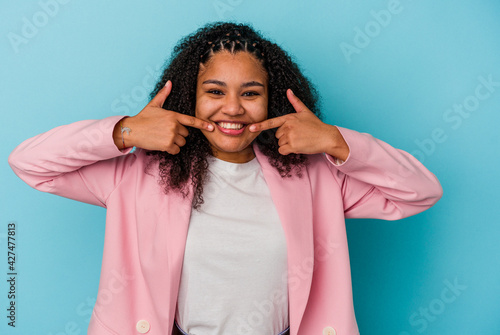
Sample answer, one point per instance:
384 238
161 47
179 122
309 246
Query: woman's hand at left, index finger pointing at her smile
155 128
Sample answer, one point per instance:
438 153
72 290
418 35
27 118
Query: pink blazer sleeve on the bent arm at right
380 182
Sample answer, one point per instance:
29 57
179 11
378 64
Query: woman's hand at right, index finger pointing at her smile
304 133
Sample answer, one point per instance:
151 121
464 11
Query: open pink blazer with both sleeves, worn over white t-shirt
146 229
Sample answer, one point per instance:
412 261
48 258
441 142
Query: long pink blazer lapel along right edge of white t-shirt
293 200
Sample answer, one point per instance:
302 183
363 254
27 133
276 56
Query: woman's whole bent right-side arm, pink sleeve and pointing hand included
376 180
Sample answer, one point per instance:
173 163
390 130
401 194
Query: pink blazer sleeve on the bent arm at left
79 161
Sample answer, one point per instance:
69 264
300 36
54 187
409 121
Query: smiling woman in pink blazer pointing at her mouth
229 216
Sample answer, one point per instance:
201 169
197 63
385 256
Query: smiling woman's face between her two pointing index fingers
232 93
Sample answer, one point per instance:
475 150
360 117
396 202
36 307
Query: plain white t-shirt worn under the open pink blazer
234 275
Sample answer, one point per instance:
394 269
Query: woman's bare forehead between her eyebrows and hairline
239 65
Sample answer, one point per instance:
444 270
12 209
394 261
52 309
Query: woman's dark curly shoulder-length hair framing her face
182 69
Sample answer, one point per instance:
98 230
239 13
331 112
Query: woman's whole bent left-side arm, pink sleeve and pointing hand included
82 161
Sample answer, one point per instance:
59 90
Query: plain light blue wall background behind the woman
399 83
